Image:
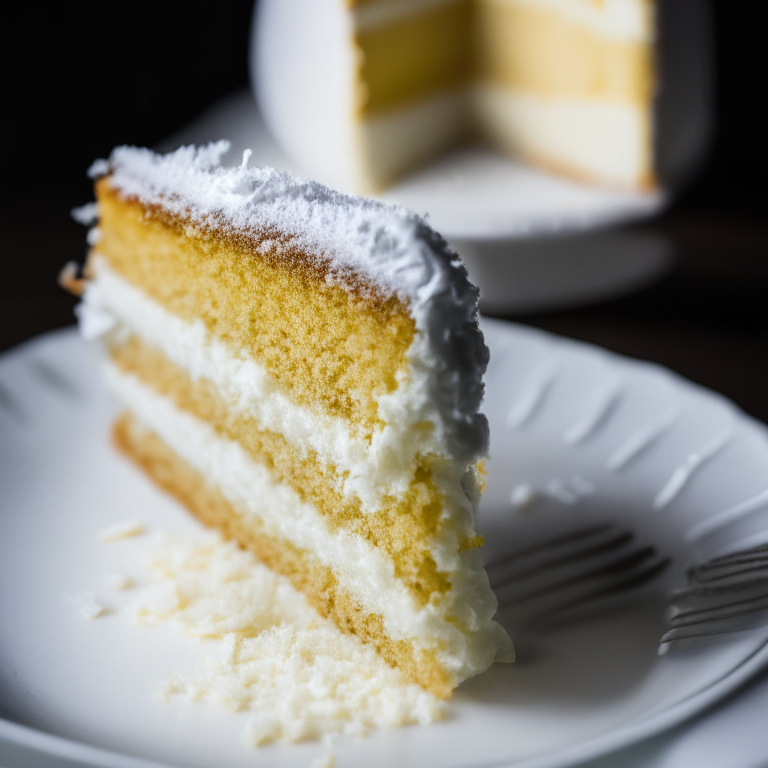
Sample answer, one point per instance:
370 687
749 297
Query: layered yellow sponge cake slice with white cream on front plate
303 370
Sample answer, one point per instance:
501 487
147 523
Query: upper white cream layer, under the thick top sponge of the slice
383 466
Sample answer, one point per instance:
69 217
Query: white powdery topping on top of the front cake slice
383 243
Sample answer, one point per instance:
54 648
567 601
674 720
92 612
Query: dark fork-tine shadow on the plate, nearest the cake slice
572 575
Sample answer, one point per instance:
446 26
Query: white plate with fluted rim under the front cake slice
559 411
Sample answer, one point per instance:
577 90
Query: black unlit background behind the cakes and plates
78 82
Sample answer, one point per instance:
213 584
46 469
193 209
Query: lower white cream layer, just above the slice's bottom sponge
363 571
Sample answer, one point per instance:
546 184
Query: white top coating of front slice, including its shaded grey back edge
372 249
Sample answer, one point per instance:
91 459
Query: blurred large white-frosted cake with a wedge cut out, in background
361 92
